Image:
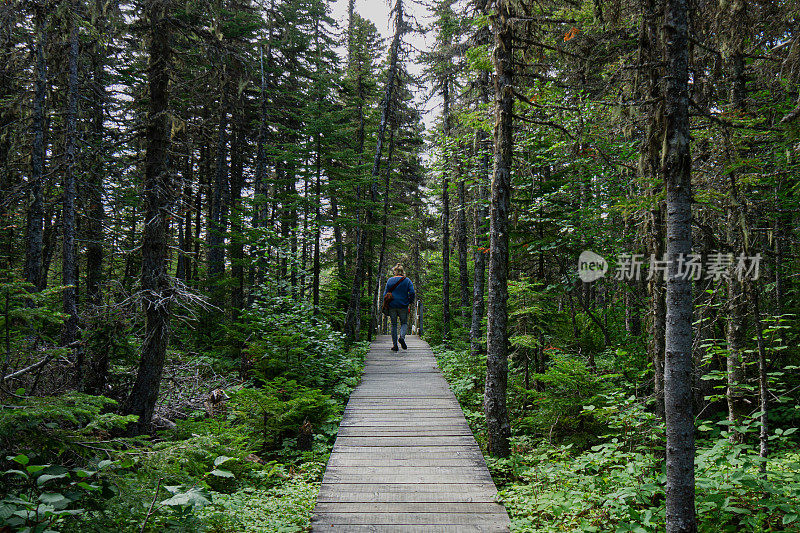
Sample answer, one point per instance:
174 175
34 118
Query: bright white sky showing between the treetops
378 12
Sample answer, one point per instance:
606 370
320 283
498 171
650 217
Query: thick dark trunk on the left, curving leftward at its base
158 193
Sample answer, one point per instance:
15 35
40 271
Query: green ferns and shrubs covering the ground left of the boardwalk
65 467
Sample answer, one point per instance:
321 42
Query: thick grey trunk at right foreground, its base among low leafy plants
680 511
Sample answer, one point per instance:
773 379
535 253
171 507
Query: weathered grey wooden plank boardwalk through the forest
404 459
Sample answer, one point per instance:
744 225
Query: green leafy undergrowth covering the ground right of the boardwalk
588 456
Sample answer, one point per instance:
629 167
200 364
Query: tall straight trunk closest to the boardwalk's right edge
494 400
